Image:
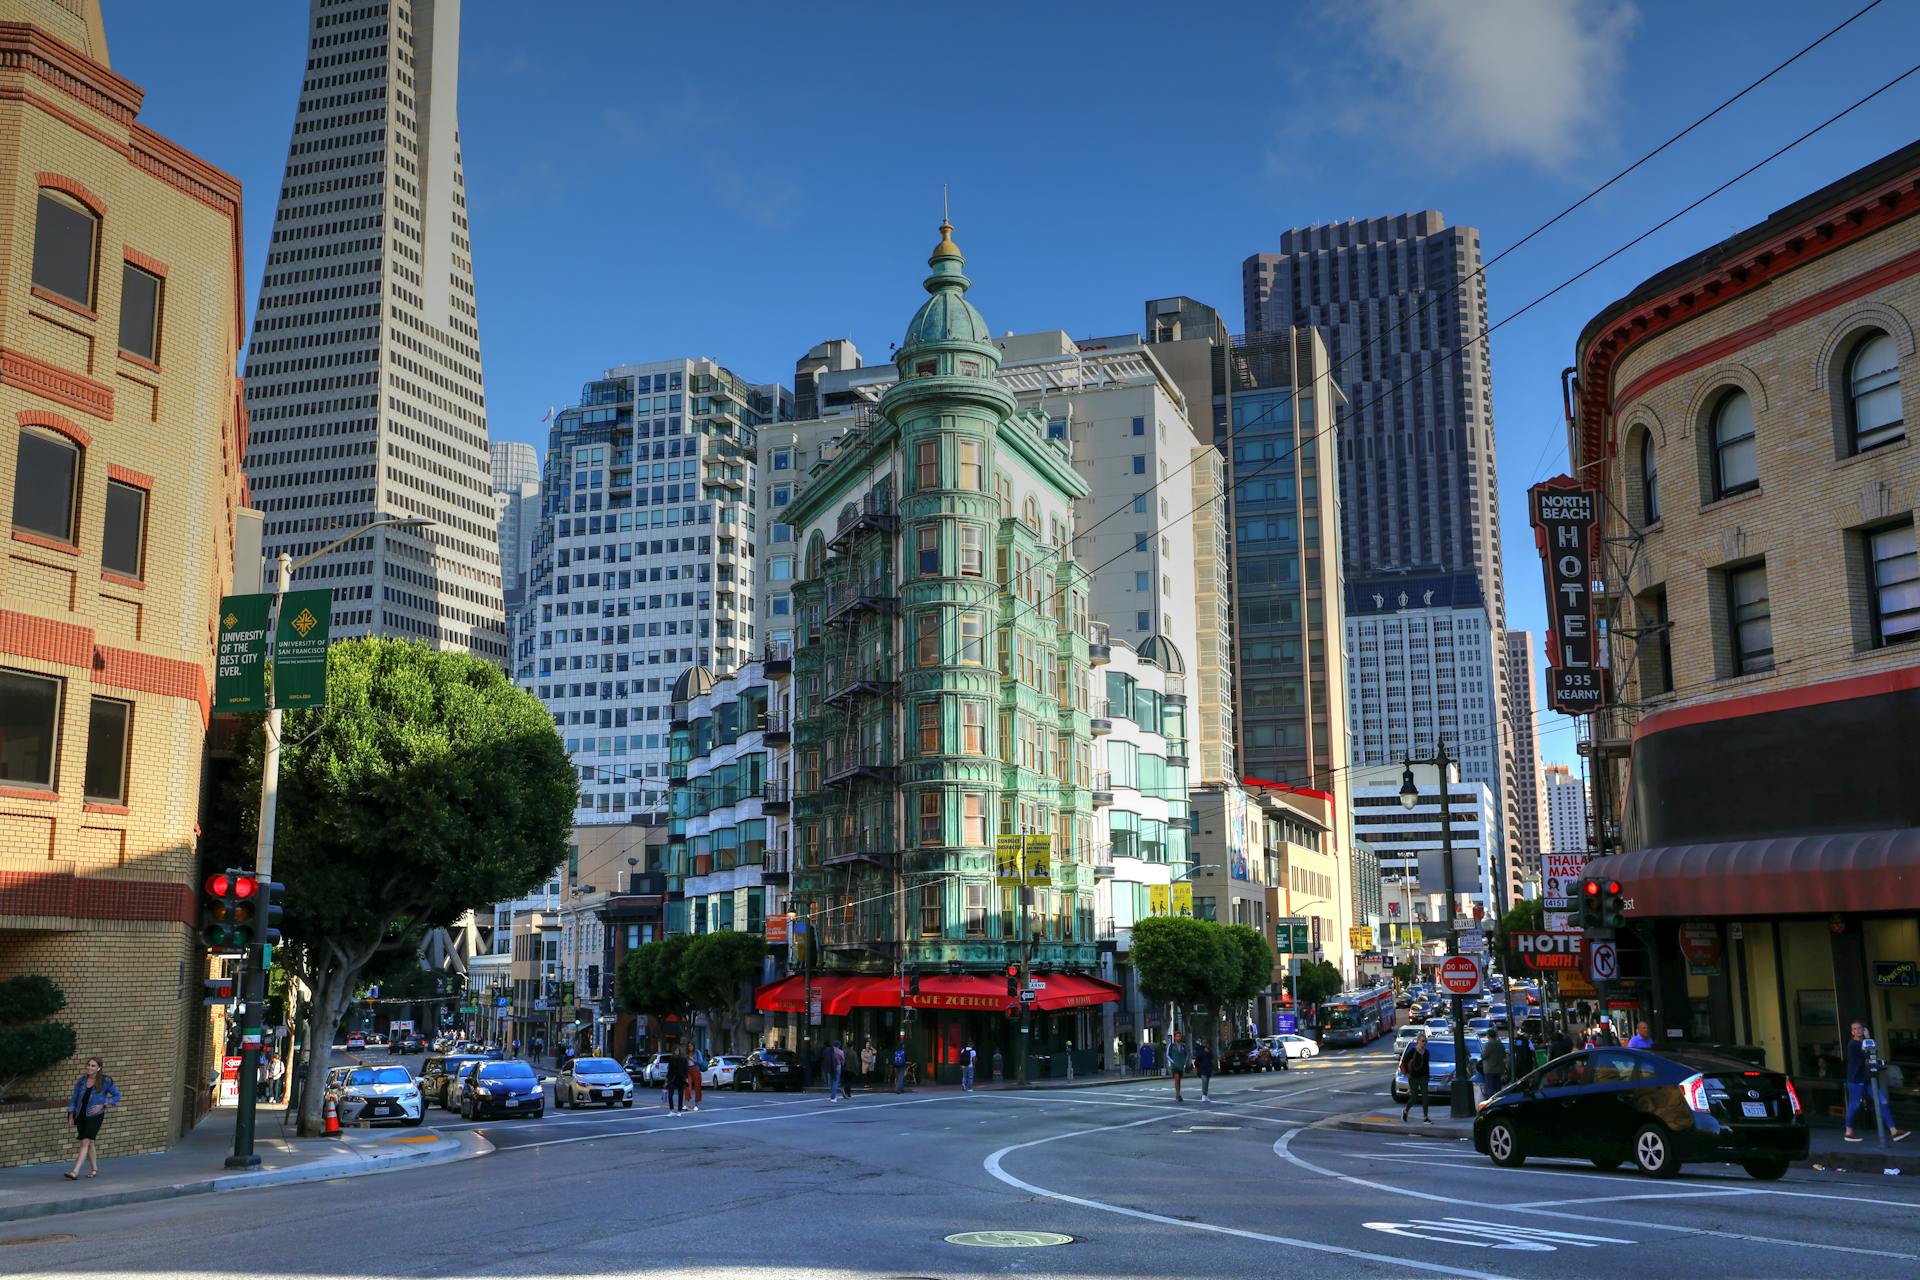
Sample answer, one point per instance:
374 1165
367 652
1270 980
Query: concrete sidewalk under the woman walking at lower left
195 1166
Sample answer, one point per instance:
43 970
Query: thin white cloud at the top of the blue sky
1531 80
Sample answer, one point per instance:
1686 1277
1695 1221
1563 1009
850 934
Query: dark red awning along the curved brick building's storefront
1781 876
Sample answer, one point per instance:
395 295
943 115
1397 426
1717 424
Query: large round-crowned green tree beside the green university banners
429 786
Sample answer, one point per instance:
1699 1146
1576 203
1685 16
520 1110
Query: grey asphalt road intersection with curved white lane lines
796 1187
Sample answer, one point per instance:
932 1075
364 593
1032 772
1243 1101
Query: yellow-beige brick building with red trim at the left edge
120 327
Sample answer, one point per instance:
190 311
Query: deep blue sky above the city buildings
742 181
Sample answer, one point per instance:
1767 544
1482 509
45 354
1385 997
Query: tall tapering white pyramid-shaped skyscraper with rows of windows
364 371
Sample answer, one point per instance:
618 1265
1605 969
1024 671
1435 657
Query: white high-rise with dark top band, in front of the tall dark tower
1420 671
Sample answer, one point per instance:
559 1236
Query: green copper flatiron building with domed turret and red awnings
942 732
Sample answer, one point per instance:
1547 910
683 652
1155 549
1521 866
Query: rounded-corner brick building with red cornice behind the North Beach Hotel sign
1742 412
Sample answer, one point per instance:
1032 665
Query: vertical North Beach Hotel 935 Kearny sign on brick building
1564 517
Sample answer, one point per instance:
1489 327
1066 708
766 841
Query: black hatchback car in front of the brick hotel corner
1656 1110
